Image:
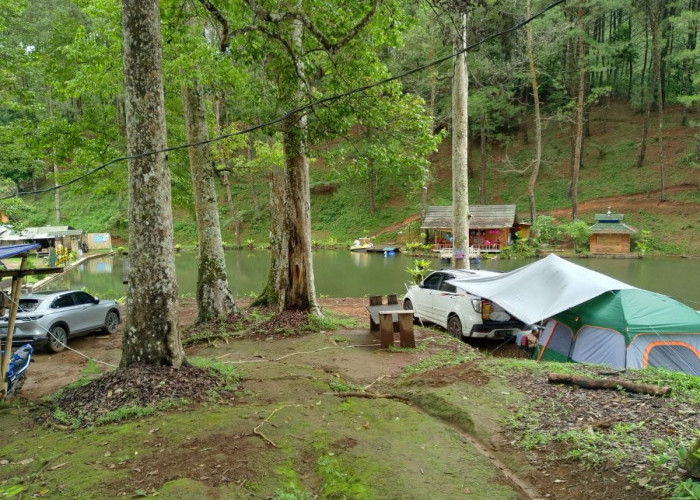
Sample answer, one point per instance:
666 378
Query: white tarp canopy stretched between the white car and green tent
542 289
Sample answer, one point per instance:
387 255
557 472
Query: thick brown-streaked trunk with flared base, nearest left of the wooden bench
293 282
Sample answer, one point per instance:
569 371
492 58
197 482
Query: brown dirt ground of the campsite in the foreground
282 373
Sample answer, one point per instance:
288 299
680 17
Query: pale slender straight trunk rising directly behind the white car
460 147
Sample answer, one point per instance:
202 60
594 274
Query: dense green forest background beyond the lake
374 160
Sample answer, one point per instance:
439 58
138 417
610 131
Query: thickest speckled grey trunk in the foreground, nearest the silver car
151 331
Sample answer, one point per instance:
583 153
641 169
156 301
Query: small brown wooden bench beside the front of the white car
385 319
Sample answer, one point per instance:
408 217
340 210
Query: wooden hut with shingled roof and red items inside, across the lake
491 227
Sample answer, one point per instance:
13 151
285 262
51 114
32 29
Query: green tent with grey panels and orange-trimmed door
629 328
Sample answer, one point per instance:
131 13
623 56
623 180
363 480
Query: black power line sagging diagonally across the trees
294 111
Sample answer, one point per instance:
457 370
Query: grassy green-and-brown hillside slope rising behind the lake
608 178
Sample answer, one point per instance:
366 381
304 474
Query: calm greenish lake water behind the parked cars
341 273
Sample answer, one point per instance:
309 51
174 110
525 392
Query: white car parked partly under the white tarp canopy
462 314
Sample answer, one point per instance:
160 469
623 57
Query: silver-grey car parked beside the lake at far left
51 318
